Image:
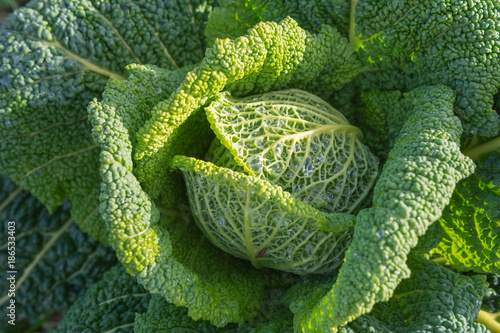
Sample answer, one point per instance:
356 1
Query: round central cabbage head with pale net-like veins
281 186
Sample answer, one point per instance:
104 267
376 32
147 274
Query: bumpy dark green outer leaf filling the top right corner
447 42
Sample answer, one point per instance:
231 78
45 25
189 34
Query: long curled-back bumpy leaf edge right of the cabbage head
416 183
